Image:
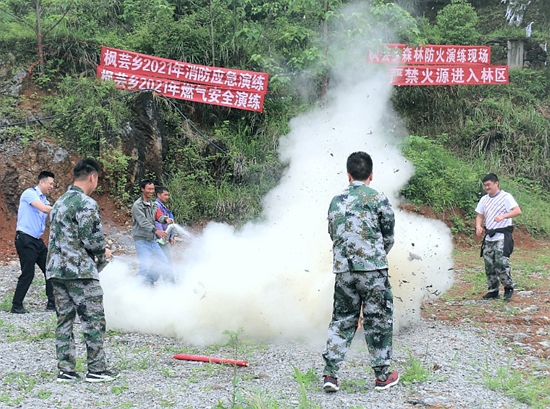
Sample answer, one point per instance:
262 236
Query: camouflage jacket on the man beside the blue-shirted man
77 243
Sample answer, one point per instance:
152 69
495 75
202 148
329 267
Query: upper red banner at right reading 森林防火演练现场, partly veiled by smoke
432 55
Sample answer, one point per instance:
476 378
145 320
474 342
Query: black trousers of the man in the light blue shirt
31 251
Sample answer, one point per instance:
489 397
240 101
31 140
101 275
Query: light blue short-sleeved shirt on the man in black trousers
30 220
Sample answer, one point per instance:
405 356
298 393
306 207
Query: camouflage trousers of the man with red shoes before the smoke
373 290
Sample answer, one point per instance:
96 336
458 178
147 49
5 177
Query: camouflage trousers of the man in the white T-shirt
497 267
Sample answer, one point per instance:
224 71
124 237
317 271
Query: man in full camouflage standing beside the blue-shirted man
76 254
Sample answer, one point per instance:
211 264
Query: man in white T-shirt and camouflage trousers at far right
498 208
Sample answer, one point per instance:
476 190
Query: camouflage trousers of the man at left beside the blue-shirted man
84 297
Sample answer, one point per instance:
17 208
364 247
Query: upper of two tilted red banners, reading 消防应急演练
148 66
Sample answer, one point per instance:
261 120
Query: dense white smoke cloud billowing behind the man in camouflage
273 277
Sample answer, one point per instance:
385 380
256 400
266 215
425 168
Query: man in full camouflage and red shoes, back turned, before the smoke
360 224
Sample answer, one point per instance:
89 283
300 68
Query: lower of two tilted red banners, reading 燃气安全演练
231 98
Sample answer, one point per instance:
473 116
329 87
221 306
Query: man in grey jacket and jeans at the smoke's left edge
152 261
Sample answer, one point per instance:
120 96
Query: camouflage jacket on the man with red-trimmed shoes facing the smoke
360 224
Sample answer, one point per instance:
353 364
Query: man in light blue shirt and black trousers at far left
33 211
